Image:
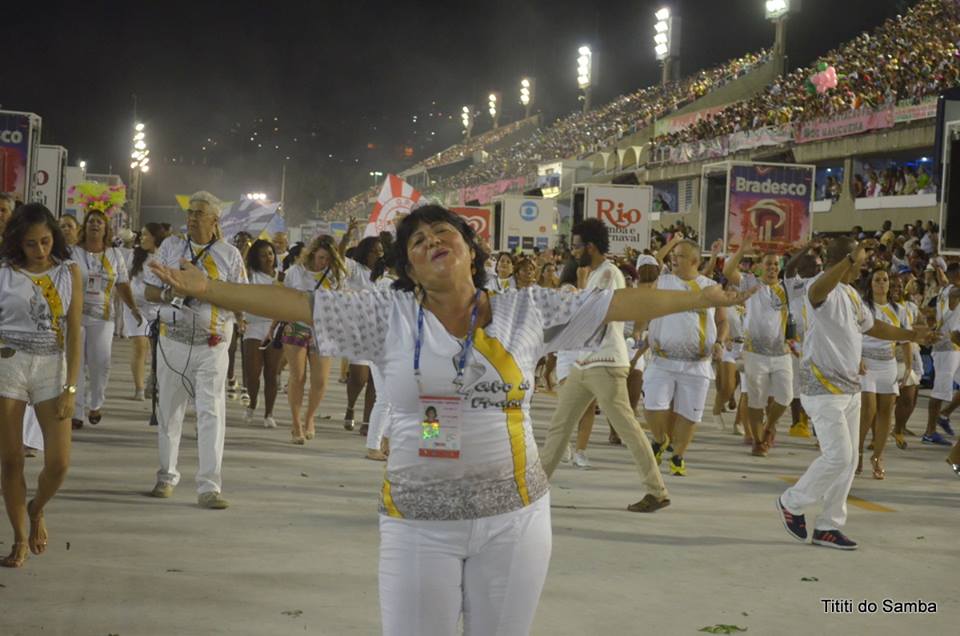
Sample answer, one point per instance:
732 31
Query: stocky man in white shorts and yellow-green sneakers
678 376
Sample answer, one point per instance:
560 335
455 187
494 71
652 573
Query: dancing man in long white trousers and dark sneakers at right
830 392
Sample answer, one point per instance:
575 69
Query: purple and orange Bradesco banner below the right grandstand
771 203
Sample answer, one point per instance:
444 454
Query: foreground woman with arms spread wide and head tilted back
465 505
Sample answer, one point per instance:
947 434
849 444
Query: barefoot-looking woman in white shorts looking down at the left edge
40 343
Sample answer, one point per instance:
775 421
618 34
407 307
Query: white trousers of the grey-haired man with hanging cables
201 369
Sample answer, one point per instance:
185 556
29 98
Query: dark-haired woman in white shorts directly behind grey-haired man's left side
151 236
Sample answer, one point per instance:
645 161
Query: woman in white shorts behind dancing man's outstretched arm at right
879 385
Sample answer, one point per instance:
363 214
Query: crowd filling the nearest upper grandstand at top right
907 57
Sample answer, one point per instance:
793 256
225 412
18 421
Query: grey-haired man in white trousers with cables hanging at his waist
192 351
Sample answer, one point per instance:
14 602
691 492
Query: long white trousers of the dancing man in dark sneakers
836 419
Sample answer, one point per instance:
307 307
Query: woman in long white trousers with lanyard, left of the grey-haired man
103 270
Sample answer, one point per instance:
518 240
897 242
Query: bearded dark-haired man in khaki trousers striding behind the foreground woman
602 376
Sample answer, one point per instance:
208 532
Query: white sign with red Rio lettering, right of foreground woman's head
625 210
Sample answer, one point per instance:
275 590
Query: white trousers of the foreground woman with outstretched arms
491 570
